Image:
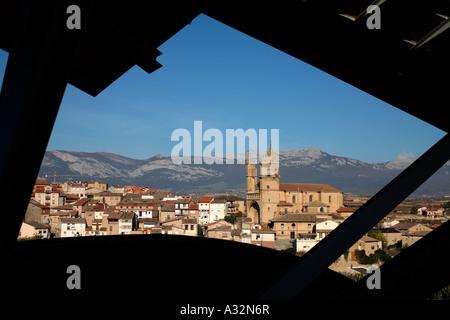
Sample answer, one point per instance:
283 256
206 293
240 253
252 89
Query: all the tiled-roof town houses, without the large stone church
72 209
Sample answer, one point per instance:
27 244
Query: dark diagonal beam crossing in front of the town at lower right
322 255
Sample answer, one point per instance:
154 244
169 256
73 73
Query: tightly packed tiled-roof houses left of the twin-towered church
72 209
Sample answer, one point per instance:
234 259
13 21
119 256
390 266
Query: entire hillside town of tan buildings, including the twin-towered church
292 217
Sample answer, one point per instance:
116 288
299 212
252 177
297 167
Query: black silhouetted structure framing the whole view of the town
405 63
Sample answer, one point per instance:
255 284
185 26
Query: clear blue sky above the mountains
229 80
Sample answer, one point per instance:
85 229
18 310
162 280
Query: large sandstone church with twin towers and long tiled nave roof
267 198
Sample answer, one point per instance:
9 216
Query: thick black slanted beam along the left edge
35 78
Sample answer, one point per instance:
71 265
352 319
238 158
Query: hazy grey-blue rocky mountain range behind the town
308 165
